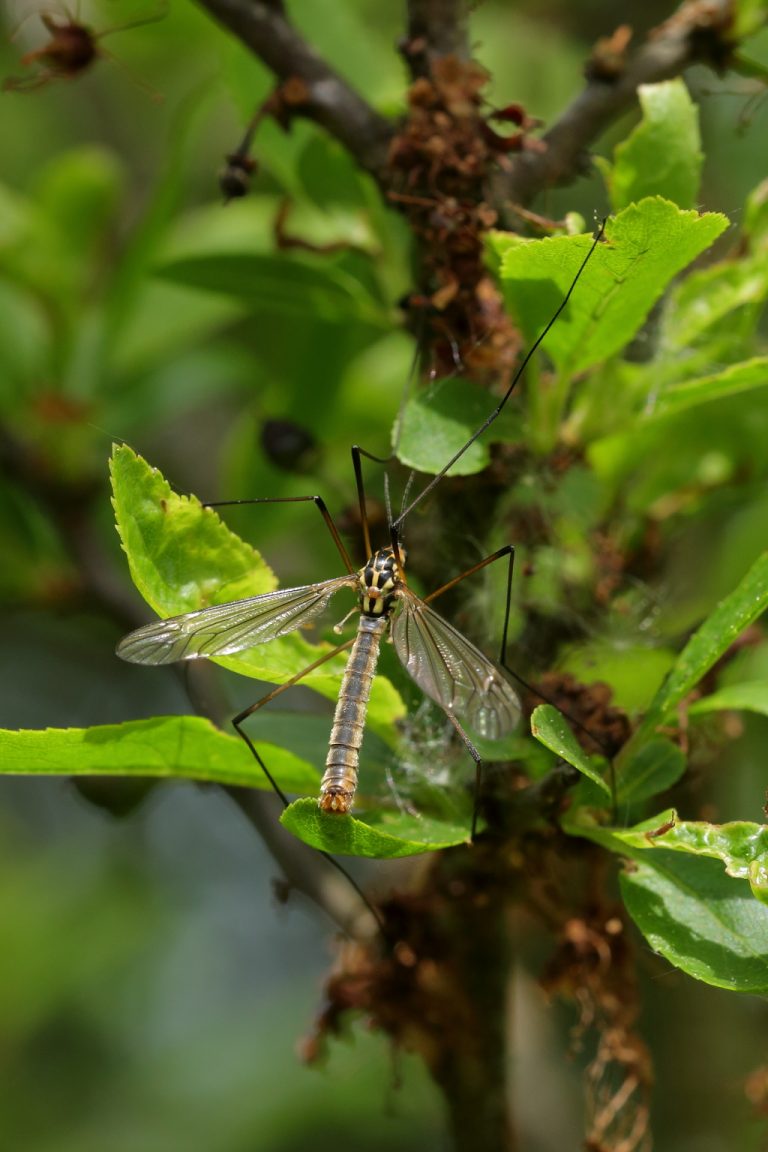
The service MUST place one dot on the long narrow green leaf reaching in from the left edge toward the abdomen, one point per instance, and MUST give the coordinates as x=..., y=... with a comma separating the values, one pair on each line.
x=165, y=747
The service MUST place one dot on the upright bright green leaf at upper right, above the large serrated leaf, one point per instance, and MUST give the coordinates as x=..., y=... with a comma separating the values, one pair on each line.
x=663, y=156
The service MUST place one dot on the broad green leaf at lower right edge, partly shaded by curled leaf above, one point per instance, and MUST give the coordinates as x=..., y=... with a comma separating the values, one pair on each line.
x=701, y=921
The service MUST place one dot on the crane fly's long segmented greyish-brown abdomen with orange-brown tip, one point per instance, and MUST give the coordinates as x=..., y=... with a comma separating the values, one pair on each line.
x=340, y=779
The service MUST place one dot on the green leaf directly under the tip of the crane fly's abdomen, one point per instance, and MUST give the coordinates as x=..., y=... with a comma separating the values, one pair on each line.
x=384, y=836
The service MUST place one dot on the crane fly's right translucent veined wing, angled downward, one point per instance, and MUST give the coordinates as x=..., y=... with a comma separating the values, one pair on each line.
x=451, y=671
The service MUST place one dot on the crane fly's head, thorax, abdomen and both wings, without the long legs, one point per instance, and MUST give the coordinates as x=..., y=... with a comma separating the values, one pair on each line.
x=445, y=665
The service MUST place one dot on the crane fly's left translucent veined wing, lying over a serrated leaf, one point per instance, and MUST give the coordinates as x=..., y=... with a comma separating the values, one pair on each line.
x=229, y=628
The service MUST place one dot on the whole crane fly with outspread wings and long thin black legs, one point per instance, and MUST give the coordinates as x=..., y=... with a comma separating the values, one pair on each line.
x=445, y=664
